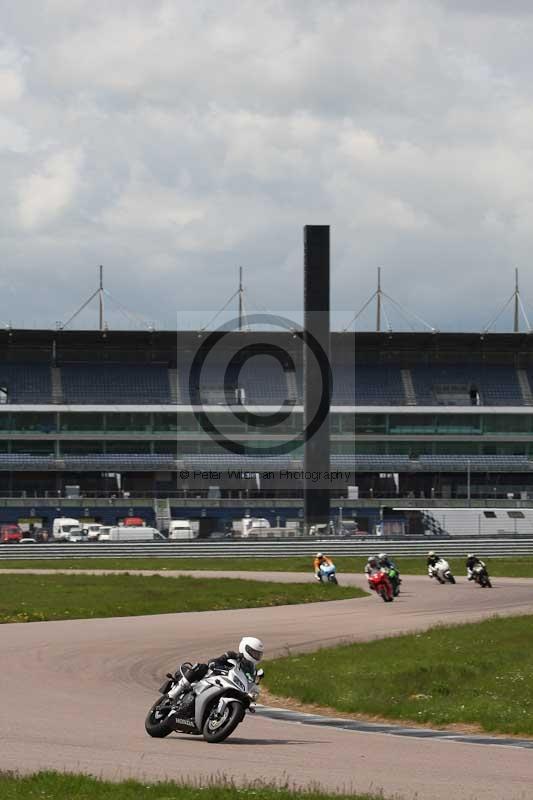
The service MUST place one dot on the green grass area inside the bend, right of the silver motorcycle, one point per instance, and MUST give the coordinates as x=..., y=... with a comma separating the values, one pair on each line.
x=478, y=674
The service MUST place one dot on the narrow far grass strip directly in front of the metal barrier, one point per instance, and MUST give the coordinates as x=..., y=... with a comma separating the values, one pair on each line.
x=498, y=567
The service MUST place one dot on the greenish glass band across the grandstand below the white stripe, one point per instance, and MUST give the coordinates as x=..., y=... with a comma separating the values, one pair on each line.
x=410, y=434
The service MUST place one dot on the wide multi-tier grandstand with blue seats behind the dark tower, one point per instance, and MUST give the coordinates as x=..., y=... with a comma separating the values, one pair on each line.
x=416, y=416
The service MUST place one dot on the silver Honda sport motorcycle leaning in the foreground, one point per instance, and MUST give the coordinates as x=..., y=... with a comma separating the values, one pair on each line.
x=212, y=707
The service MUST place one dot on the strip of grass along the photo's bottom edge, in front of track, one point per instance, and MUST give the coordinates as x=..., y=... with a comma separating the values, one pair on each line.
x=80, y=787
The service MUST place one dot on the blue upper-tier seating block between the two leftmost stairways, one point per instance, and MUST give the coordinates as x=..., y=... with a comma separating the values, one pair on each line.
x=115, y=384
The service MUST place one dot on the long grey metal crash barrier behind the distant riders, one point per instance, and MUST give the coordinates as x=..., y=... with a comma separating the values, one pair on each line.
x=484, y=546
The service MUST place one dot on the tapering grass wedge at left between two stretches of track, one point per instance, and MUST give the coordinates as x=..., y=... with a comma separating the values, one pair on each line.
x=29, y=598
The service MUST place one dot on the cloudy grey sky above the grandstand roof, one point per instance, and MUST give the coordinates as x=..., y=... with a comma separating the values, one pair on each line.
x=173, y=142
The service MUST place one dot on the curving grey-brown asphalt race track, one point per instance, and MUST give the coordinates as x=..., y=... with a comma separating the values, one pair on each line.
x=74, y=695
